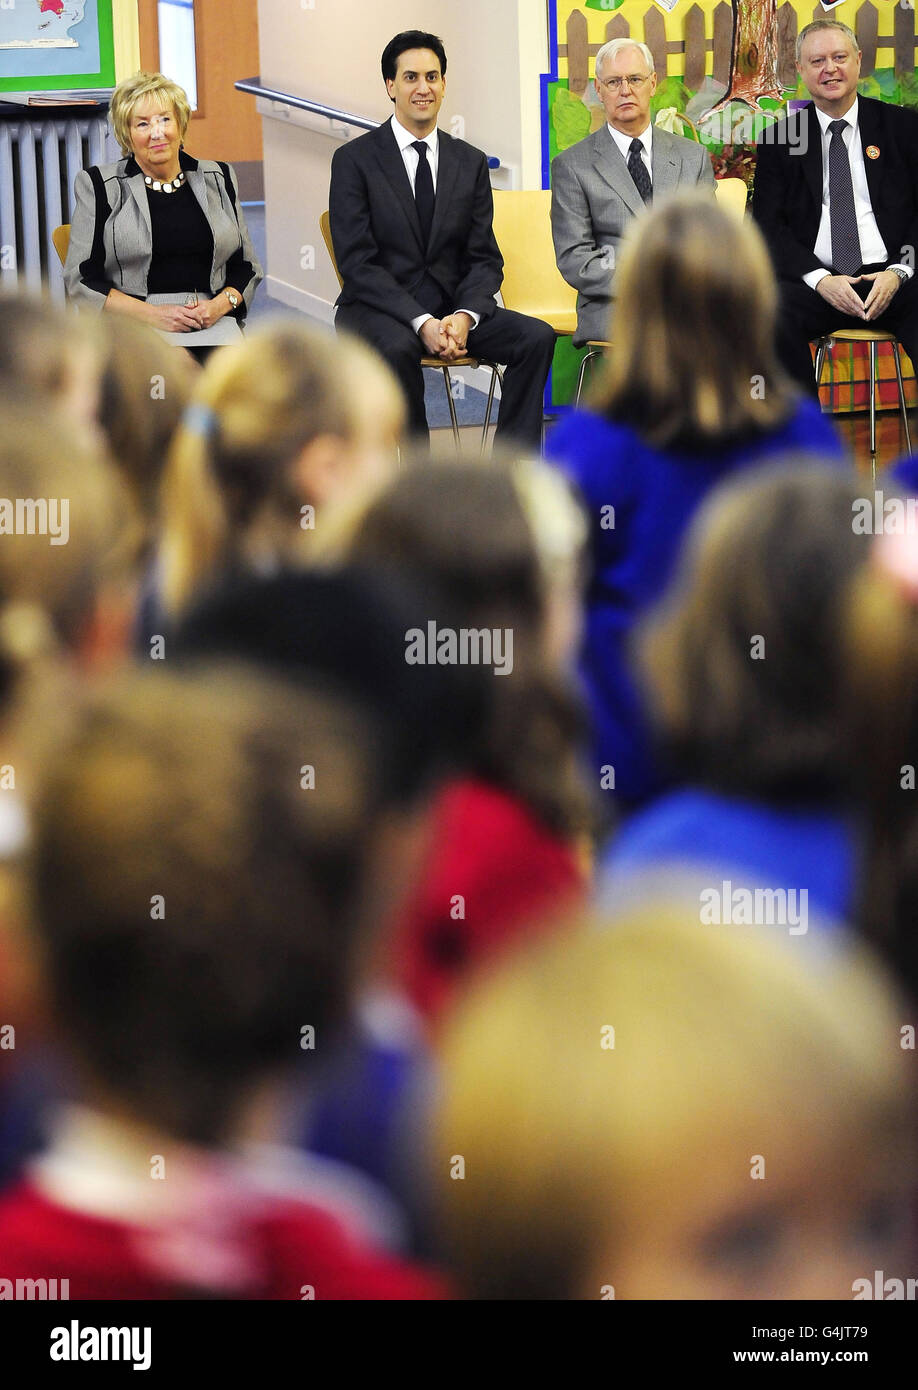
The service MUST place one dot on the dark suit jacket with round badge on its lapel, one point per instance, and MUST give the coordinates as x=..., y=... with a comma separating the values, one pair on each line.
x=788, y=193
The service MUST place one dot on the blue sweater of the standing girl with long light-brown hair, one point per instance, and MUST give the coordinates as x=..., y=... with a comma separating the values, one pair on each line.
x=634, y=551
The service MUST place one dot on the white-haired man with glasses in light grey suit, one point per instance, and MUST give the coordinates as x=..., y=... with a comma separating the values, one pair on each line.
x=600, y=184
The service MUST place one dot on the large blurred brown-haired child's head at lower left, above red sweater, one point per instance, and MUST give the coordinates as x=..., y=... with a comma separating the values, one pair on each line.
x=201, y=875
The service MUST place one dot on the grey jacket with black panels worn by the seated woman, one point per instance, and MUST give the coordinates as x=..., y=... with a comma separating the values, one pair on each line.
x=112, y=240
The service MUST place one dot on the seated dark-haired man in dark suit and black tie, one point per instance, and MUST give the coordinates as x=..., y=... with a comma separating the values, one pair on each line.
x=411, y=216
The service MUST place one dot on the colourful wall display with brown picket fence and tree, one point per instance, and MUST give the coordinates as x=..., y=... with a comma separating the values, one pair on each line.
x=725, y=73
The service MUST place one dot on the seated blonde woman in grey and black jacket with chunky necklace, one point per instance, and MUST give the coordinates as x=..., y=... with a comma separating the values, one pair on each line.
x=161, y=236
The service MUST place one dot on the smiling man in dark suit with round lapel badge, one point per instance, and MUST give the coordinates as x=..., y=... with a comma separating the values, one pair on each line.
x=837, y=197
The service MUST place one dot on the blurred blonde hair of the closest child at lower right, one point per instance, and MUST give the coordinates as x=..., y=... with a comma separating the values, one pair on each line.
x=570, y=1131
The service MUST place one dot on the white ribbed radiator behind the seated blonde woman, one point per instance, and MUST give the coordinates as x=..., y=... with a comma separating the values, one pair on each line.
x=40, y=162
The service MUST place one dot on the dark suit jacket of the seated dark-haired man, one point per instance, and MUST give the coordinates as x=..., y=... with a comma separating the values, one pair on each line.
x=378, y=238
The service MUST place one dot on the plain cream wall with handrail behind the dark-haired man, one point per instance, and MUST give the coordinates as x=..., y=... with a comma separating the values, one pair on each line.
x=330, y=52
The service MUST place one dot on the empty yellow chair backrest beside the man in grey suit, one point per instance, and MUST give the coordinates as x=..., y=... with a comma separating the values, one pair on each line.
x=532, y=280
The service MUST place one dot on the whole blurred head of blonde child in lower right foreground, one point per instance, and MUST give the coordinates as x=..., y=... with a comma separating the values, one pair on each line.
x=675, y=1111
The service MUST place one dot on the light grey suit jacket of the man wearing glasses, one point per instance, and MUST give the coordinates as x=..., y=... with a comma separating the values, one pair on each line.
x=593, y=201
